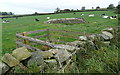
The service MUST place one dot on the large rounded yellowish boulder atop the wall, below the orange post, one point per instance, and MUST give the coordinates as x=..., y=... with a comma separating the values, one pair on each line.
x=21, y=53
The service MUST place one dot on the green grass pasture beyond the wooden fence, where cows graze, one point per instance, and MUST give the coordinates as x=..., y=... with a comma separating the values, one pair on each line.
x=24, y=24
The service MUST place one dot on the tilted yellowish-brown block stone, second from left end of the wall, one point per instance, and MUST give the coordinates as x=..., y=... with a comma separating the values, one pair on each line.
x=10, y=60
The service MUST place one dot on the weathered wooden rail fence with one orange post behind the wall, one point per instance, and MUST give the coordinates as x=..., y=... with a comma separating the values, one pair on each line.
x=34, y=40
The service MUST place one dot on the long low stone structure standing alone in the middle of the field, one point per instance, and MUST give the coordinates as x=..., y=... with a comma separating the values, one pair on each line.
x=66, y=20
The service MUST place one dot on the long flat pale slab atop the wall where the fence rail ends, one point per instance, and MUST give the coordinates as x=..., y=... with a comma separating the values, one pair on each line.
x=67, y=47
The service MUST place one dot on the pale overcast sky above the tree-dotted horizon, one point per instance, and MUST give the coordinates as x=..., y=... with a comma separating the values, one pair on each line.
x=49, y=6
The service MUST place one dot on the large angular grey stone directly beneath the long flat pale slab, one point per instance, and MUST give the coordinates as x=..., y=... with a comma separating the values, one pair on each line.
x=62, y=55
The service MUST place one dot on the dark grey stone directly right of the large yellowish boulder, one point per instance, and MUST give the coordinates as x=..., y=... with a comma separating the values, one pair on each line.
x=36, y=58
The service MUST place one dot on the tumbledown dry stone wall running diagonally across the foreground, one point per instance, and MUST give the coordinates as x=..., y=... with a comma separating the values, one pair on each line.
x=58, y=58
